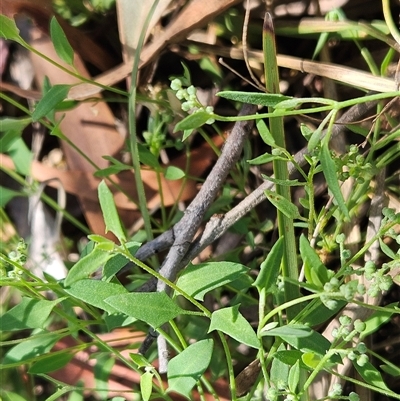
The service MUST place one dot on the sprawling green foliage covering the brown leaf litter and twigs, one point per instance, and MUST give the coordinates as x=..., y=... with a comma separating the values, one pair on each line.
x=212, y=298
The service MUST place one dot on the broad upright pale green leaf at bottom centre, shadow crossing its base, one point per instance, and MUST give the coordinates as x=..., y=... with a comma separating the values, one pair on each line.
x=186, y=368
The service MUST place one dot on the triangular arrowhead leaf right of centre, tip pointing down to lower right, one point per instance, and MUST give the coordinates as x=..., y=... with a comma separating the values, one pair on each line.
x=231, y=322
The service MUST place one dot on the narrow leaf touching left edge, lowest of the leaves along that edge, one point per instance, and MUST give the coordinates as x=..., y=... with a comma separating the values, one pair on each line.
x=30, y=349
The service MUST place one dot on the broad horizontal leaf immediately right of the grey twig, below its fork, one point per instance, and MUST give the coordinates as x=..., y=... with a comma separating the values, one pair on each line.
x=199, y=279
